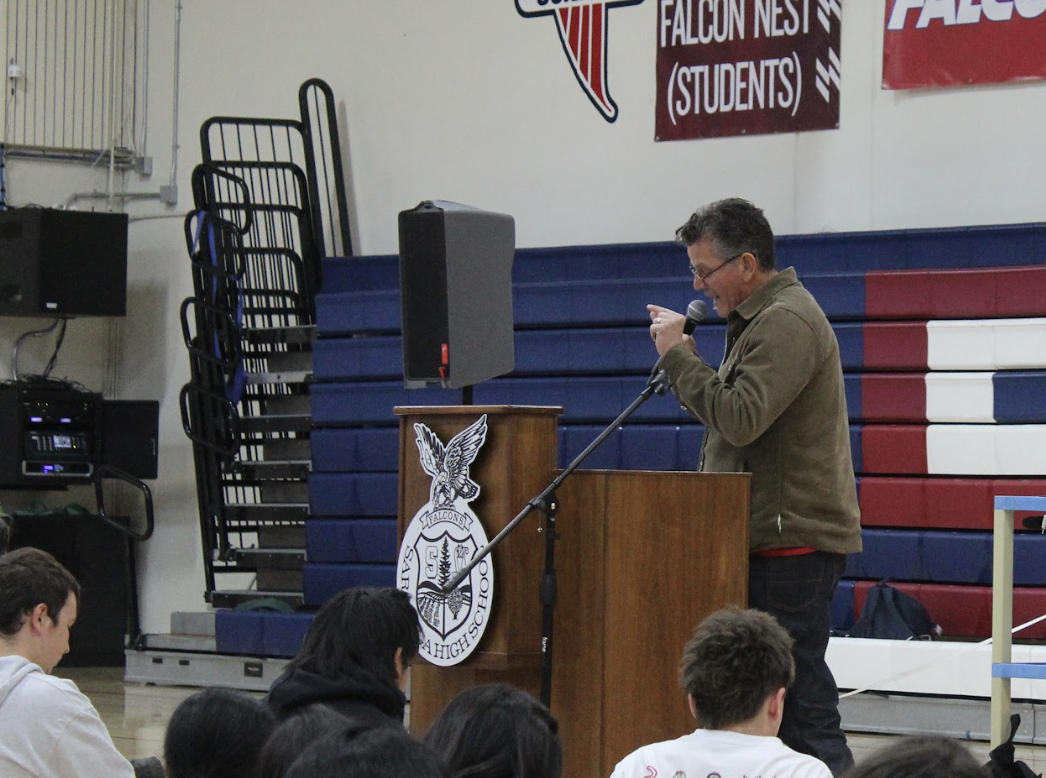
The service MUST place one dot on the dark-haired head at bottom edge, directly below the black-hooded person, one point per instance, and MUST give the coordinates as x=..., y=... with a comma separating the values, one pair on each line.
x=362, y=752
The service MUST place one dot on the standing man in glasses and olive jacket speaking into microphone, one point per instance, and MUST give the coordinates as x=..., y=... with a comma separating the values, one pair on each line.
x=777, y=409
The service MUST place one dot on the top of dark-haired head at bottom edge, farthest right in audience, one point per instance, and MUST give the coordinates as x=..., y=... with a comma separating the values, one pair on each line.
x=921, y=758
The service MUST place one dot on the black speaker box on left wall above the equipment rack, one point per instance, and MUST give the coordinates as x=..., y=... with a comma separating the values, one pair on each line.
x=63, y=263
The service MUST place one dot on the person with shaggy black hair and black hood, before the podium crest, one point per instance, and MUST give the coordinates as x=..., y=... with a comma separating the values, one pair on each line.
x=356, y=658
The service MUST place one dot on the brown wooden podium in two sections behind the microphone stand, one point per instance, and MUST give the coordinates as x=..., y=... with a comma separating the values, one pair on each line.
x=642, y=559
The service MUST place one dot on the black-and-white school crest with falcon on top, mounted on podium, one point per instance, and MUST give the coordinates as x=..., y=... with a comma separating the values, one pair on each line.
x=441, y=540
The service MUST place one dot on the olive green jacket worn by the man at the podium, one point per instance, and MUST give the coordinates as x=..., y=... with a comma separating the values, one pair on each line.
x=777, y=408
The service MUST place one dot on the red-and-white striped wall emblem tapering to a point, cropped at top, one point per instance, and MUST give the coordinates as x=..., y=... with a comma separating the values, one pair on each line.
x=583, y=33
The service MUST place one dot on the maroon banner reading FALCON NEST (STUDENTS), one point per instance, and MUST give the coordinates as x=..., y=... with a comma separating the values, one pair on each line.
x=746, y=67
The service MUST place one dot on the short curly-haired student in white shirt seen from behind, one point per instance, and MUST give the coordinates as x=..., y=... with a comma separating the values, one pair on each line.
x=736, y=672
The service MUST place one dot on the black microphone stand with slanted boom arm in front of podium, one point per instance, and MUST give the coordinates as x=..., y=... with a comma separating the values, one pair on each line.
x=548, y=502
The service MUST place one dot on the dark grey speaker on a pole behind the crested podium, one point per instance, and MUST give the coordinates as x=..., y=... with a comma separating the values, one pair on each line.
x=457, y=294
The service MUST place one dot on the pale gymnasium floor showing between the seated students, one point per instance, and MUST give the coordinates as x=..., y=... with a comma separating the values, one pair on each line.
x=138, y=716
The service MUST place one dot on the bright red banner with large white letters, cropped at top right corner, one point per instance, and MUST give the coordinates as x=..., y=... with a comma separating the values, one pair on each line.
x=947, y=43
